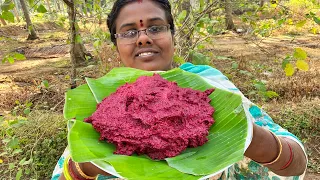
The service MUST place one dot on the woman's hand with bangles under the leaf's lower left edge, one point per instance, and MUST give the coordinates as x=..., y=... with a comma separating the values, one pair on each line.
x=87, y=168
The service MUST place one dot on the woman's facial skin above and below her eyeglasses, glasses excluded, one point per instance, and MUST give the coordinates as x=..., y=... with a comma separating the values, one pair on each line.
x=145, y=53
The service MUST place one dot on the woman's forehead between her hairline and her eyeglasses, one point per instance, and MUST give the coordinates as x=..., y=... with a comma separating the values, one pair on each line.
x=146, y=10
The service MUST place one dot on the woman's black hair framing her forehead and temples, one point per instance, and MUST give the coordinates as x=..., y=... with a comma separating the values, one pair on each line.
x=119, y=4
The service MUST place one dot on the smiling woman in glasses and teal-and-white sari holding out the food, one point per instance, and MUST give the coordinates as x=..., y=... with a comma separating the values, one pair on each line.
x=143, y=34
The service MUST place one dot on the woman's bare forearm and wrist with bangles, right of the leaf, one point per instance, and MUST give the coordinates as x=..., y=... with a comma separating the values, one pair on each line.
x=264, y=148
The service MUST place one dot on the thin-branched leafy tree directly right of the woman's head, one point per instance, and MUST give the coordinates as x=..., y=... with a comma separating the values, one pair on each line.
x=192, y=27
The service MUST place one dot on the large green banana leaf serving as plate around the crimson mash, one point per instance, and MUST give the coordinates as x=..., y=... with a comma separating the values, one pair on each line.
x=225, y=147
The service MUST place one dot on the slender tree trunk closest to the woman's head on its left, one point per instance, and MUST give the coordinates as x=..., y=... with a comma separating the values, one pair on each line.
x=77, y=50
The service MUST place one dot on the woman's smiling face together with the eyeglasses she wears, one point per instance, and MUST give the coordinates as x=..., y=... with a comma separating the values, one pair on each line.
x=149, y=47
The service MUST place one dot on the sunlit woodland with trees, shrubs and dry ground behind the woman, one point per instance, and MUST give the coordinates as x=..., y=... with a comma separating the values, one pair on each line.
x=269, y=49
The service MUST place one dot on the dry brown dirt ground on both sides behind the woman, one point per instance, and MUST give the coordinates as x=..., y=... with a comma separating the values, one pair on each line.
x=47, y=59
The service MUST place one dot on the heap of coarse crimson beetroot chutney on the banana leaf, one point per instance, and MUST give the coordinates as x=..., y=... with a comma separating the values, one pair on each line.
x=155, y=117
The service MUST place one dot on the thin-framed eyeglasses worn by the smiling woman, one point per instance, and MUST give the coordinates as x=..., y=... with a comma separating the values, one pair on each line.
x=131, y=36
